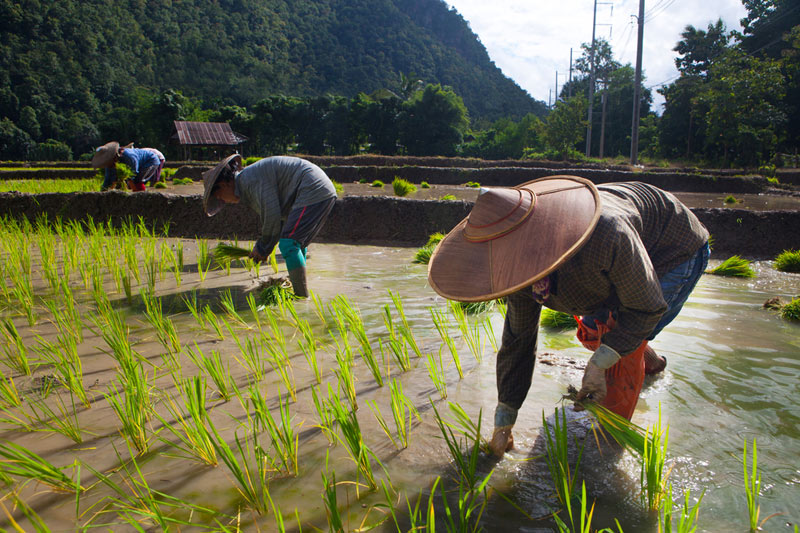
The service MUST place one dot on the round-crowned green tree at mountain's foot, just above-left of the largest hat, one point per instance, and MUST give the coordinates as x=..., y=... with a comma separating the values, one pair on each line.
x=433, y=122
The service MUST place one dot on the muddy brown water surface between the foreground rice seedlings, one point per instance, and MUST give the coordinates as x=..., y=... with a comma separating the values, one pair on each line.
x=732, y=375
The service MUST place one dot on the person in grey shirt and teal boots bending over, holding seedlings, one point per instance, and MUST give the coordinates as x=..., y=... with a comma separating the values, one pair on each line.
x=292, y=197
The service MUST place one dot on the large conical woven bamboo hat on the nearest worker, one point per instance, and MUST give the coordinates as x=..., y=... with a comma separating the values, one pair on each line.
x=513, y=237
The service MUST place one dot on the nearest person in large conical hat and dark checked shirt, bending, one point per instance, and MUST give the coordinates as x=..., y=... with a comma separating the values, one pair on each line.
x=625, y=256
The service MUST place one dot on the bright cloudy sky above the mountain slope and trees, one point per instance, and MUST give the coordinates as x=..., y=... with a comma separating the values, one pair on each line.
x=530, y=40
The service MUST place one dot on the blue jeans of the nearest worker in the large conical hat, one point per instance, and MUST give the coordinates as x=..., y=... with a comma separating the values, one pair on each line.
x=676, y=286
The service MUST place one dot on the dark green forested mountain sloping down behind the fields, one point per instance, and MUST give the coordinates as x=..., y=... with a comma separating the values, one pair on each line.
x=70, y=60
